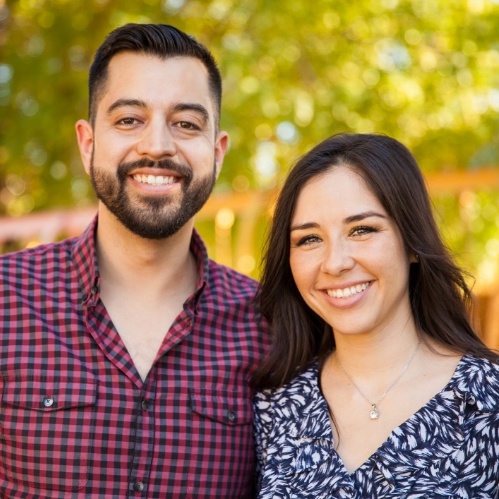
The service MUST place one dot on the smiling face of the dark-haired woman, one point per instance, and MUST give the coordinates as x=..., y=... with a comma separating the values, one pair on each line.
x=347, y=256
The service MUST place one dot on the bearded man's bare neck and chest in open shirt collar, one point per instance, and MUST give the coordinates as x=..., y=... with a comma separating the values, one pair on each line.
x=144, y=285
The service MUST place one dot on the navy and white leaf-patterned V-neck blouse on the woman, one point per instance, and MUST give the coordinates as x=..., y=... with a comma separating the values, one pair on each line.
x=448, y=449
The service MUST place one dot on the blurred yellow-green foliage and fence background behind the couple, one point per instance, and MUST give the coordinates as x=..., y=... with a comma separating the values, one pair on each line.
x=423, y=71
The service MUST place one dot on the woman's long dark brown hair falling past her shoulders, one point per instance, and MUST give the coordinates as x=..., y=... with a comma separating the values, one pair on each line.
x=440, y=297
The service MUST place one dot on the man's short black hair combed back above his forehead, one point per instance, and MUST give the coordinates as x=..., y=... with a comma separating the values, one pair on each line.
x=161, y=40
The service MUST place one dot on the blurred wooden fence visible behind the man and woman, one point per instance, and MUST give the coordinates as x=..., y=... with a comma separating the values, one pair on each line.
x=233, y=225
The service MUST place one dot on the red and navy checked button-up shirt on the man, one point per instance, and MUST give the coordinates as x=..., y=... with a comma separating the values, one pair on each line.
x=76, y=420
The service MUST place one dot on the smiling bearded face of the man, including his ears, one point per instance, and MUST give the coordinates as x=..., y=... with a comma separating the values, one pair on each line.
x=154, y=153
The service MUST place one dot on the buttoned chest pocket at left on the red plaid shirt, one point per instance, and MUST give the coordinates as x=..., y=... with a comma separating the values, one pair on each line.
x=46, y=429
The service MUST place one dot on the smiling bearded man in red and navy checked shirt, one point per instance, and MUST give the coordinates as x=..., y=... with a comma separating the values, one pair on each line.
x=126, y=353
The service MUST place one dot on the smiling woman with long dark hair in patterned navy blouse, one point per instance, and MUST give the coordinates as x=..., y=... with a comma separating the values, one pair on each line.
x=376, y=384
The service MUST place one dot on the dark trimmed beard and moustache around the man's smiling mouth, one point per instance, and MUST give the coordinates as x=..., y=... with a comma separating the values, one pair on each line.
x=153, y=217
